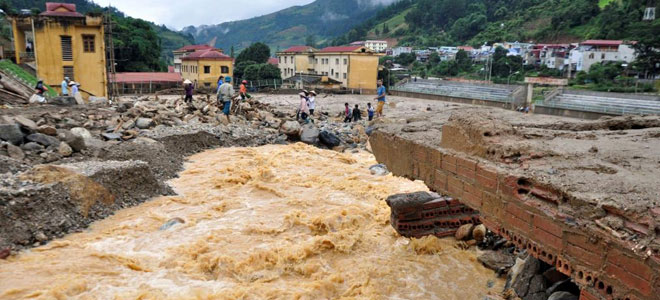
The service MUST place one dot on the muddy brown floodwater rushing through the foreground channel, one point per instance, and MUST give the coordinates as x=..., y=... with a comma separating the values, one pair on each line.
x=275, y=222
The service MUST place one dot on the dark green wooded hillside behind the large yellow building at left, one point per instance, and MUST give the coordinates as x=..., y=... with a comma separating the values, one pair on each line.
x=139, y=45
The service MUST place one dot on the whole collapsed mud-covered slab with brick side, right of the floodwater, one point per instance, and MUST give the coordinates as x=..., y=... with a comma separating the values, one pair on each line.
x=581, y=196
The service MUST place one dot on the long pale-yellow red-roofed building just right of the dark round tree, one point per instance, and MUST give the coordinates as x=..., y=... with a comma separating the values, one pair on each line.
x=356, y=67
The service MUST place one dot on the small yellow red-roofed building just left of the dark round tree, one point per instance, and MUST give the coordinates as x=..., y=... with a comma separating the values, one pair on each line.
x=204, y=67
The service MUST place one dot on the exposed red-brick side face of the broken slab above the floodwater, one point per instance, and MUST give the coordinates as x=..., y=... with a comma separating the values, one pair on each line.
x=527, y=213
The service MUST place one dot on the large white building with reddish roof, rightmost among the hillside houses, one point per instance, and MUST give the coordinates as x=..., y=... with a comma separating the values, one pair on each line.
x=597, y=51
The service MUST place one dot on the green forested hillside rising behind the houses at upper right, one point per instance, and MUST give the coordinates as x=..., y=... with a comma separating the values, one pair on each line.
x=475, y=22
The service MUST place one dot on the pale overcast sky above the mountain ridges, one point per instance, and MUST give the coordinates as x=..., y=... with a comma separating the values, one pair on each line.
x=181, y=13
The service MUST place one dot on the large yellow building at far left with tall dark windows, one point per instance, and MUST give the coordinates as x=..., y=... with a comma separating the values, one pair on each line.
x=63, y=43
